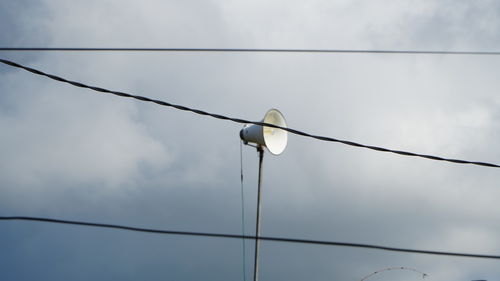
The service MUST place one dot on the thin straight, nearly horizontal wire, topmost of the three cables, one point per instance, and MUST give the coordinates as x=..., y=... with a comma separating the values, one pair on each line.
x=247, y=50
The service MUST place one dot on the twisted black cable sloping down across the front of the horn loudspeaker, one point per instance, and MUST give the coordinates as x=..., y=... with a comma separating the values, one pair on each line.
x=243, y=121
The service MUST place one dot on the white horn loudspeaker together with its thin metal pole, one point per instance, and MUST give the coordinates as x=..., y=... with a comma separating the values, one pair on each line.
x=275, y=140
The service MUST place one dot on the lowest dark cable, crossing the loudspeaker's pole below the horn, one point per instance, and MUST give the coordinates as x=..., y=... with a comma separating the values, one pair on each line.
x=235, y=236
